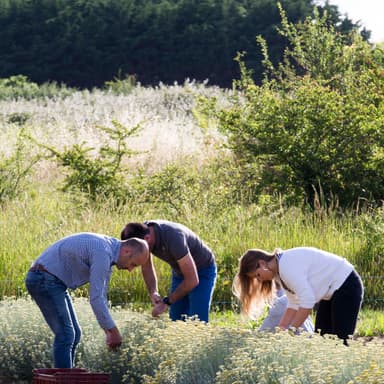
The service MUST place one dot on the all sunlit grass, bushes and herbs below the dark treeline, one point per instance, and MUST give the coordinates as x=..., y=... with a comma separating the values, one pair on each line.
x=297, y=160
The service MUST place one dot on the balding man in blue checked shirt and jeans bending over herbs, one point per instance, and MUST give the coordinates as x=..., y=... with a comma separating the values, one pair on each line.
x=69, y=263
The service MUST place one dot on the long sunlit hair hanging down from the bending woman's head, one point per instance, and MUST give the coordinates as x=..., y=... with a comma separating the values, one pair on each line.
x=253, y=294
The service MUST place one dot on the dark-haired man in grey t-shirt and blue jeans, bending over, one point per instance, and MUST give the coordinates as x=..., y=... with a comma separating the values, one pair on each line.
x=193, y=266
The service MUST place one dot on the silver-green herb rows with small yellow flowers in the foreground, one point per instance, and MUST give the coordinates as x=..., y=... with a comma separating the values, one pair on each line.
x=161, y=351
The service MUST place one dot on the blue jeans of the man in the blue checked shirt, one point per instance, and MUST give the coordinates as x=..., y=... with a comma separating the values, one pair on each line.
x=55, y=303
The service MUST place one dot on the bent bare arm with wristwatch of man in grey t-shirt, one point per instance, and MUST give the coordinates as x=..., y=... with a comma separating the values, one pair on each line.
x=190, y=281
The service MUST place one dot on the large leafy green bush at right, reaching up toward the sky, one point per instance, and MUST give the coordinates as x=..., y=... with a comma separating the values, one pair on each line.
x=318, y=126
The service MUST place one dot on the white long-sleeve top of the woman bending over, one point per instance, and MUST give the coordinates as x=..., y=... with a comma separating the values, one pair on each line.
x=312, y=274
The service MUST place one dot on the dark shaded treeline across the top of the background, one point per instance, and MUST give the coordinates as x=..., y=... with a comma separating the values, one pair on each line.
x=85, y=43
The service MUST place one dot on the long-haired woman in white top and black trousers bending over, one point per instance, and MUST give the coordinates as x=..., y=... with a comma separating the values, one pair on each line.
x=308, y=276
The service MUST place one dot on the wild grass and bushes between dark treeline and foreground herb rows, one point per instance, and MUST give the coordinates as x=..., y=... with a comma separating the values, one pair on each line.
x=295, y=161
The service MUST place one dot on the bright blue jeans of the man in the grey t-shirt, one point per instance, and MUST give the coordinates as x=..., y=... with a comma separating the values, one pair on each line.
x=198, y=301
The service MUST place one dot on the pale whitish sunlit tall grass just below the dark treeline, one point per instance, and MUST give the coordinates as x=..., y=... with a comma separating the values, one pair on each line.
x=169, y=129
